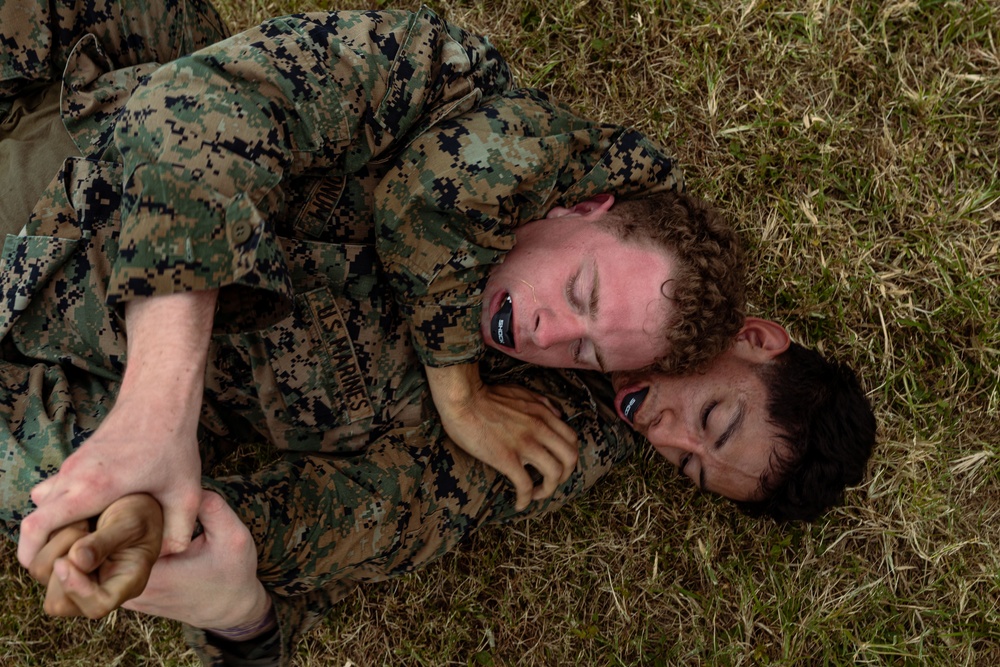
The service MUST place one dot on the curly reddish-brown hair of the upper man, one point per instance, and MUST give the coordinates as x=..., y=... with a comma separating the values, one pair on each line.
x=709, y=284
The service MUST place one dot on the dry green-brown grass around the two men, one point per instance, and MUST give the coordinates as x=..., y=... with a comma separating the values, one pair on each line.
x=856, y=144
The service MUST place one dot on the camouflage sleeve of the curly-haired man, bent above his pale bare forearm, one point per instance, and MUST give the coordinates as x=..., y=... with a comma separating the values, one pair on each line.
x=211, y=139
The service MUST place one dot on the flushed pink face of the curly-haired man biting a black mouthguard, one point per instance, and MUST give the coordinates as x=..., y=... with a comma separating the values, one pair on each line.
x=571, y=295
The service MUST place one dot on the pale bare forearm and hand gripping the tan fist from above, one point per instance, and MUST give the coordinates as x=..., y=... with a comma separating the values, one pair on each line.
x=148, y=441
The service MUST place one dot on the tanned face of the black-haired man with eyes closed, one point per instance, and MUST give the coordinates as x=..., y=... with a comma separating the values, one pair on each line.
x=712, y=426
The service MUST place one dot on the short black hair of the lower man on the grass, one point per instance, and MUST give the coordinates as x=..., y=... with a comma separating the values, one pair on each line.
x=827, y=424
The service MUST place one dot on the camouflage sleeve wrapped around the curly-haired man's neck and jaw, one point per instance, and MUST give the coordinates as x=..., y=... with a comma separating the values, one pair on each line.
x=447, y=210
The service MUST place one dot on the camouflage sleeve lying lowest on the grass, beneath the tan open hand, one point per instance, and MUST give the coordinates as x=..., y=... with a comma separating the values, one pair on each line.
x=324, y=524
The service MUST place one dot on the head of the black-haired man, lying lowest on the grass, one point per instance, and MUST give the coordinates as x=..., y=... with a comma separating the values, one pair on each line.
x=769, y=424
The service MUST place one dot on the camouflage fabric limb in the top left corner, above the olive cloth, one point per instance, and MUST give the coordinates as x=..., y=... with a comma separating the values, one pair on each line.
x=37, y=36
